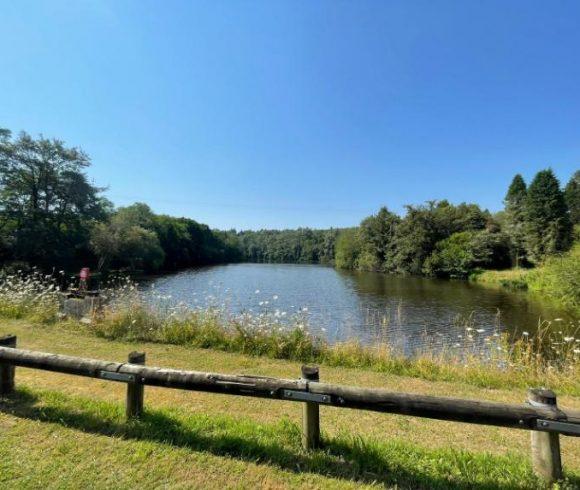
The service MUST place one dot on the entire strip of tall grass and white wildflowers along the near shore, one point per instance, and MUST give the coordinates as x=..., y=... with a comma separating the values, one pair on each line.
x=503, y=363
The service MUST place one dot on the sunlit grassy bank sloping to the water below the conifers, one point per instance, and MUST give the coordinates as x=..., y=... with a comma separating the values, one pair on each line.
x=558, y=278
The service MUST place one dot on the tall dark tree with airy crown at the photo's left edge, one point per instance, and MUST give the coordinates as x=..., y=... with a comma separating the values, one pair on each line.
x=47, y=204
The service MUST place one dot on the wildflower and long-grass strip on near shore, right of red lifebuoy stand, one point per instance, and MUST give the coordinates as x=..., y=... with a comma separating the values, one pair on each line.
x=517, y=364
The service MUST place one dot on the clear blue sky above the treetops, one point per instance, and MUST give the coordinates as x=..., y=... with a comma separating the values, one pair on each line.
x=276, y=114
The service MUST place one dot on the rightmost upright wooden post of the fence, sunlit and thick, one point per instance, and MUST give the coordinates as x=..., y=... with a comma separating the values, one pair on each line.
x=546, y=459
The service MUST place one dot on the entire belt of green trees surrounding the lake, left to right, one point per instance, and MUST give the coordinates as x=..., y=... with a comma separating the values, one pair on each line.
x=54, y=218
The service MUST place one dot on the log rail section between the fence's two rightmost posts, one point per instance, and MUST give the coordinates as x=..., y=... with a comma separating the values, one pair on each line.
x=442, y=408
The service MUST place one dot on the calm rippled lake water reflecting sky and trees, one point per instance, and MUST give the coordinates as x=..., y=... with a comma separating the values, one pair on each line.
x=408, y=312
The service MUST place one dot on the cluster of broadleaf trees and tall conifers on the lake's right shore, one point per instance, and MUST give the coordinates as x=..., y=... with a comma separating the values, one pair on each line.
x=448, y=240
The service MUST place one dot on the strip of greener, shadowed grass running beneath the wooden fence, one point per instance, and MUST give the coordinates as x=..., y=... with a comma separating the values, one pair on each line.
x=277, y=445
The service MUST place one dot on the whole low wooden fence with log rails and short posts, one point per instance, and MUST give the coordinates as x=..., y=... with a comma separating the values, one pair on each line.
x=540, y=414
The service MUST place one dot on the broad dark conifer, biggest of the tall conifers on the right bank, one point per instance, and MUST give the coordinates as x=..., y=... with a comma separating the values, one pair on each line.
x=548, y=226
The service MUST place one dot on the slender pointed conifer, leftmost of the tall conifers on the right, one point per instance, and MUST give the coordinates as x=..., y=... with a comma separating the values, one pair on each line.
x=515, y=218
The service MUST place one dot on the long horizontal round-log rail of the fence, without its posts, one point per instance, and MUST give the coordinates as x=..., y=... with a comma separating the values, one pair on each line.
x=442, y=408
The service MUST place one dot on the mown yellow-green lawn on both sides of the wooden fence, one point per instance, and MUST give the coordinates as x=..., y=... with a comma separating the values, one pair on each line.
x=60, y=431
